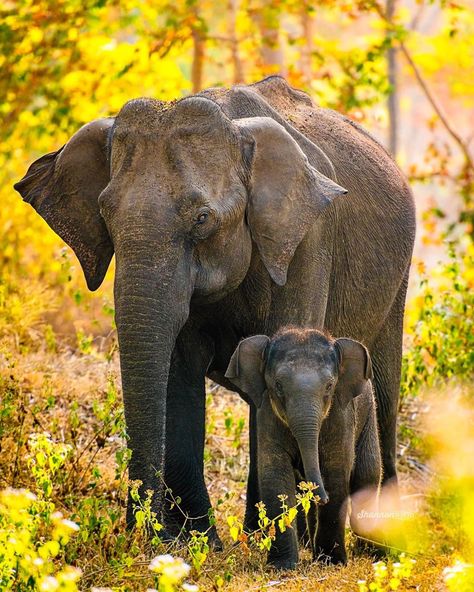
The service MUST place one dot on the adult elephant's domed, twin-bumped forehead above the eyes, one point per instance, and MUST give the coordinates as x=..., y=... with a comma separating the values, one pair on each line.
x=191, y=138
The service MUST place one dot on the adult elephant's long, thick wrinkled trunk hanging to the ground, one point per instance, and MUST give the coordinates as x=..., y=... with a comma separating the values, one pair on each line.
x=152, y=295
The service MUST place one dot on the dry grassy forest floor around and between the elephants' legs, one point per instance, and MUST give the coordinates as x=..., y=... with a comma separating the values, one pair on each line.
x=75, y=397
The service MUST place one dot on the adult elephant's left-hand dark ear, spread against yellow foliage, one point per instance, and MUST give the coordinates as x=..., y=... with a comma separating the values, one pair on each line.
x=64, y=186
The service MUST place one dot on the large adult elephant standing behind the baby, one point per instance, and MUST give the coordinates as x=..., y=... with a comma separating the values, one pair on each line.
x=226, y=221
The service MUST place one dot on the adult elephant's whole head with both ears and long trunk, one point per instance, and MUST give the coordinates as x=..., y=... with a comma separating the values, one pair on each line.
x=180, y=193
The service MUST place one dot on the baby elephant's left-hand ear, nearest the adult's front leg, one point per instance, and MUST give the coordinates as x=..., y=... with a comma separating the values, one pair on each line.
x=246, y=369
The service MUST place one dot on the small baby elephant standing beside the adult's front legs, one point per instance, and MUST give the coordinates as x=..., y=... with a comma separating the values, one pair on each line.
x=316, y=422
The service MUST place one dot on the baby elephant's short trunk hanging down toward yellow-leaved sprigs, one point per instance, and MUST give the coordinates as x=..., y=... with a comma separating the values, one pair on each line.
x=307, y=438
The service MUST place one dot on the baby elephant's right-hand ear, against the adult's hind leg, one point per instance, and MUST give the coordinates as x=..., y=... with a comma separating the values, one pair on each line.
x=355, y=367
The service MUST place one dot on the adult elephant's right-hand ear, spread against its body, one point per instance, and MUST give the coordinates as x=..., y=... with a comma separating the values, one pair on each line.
x=287, y=194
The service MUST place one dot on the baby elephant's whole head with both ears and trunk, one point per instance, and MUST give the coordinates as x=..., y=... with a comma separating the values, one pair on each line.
x=302, y=372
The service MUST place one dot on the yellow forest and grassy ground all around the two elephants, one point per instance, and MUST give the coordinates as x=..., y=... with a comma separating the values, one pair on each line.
x=404, y=69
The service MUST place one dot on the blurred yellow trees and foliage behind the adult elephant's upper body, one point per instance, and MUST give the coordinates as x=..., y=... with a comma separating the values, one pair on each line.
x=403, y=68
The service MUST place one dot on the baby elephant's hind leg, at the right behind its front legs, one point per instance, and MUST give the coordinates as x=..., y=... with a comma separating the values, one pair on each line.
x=365, y=480
